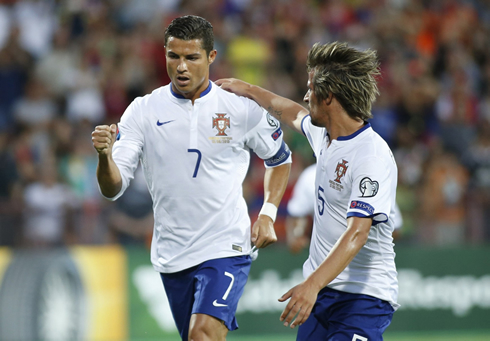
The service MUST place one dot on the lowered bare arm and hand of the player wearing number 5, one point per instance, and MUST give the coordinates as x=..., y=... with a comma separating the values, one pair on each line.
x=304, y=295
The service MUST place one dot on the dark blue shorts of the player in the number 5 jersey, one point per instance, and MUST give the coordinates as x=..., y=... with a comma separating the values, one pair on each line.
x=342, y=316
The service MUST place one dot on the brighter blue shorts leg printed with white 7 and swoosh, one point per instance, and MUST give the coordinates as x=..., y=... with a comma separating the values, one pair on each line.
x=219, y=286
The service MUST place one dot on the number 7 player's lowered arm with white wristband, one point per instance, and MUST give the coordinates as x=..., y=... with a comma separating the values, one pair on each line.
x=275, y=183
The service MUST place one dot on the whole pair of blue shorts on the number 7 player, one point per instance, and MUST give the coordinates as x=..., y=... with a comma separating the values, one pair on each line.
x=212, y=288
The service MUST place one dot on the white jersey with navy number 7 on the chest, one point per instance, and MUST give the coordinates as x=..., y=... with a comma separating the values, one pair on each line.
x=195, y=158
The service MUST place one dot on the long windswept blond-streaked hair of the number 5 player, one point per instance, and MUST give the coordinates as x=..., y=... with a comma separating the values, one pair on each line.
x=349, y=74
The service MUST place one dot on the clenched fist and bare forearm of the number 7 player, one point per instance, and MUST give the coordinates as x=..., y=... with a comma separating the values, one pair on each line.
x=108, y=175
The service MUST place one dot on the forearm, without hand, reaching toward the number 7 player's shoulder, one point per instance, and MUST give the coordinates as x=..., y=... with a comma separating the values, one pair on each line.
x=285, y=110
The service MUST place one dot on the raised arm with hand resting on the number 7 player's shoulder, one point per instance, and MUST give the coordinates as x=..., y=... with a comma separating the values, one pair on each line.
x=285, y=110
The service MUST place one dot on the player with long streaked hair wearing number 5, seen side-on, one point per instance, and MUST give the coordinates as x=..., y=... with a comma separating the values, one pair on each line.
x=350, y=288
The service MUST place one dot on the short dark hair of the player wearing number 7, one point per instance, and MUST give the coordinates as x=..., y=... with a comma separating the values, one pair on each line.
x=190, y=27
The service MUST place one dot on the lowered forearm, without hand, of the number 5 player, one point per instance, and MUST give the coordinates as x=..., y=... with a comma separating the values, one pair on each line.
x=342, y=253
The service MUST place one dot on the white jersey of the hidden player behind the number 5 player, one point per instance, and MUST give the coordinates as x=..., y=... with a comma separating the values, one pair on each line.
x=302, y=201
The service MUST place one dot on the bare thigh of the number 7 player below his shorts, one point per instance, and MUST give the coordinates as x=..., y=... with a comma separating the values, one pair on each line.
x=203, y=326
